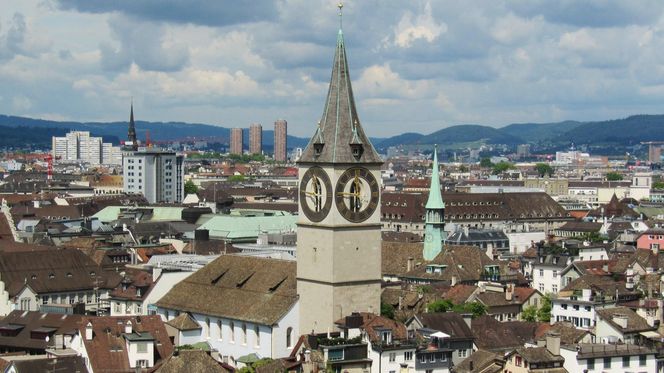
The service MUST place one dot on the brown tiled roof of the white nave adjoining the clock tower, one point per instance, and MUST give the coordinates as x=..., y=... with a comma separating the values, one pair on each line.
x=254, y=289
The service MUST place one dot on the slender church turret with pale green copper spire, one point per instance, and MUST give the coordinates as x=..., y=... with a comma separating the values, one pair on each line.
x=434, y=226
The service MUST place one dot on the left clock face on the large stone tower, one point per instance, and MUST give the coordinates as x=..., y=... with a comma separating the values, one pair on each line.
x=315, y=194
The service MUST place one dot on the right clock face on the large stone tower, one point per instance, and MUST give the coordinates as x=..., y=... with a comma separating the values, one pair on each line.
x=357, y=194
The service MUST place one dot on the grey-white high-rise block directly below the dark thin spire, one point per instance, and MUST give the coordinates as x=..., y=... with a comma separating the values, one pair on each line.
x=156, y=174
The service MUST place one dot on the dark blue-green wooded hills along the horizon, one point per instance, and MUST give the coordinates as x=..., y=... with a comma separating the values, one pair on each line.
x=620, y=132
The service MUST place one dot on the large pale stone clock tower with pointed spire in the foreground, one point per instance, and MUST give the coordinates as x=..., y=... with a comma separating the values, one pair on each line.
x=338, y=235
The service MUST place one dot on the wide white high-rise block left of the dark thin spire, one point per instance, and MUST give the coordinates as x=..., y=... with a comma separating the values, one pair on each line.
x=79, y=146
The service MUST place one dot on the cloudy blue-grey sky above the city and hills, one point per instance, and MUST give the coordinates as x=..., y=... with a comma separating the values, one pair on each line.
x=415, y=65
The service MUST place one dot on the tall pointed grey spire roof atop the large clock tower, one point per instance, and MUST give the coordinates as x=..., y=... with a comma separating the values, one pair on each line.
x=340, y=125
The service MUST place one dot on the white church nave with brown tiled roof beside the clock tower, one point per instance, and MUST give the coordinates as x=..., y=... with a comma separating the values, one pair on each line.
x=242, y=305
